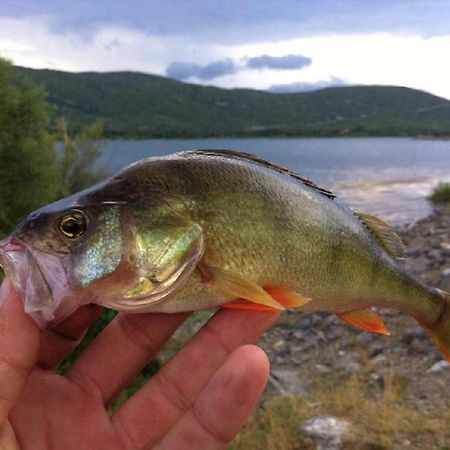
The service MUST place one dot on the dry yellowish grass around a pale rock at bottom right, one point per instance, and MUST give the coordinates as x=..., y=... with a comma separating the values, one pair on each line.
x=380, y=418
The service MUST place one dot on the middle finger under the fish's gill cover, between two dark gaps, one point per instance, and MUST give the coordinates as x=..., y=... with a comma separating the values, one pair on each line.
x=121, y=350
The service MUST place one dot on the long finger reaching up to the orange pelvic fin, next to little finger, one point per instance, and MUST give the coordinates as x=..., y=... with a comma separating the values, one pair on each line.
x=147, y=416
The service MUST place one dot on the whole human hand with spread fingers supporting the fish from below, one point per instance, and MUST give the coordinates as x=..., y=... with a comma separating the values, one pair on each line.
x=198, y=400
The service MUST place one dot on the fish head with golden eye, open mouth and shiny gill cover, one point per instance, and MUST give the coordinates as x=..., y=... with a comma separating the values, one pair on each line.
x=122, y=255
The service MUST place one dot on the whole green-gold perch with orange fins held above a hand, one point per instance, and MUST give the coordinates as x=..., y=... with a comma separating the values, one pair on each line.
x=215, y=229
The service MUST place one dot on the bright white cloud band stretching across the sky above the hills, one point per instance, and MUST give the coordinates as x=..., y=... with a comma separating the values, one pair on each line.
x=379, y=58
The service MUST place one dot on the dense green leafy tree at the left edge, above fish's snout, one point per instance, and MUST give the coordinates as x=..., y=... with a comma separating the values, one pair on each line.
x=28, y=173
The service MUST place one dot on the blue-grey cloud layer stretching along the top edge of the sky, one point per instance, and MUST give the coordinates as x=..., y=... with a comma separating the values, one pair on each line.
x=237, y=21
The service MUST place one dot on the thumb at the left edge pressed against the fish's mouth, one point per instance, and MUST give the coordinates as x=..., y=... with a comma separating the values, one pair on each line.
x=19, y=344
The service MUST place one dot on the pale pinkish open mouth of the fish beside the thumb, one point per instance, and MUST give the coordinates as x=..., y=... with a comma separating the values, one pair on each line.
x=33, y=275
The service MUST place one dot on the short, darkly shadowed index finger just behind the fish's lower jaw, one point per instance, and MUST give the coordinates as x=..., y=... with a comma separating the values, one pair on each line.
x=60, y=339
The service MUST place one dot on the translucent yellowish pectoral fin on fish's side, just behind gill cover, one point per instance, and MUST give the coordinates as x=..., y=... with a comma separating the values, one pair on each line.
x=237, y=286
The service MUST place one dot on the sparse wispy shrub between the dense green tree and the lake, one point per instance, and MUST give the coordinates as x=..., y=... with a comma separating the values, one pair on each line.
x=77, y=157
